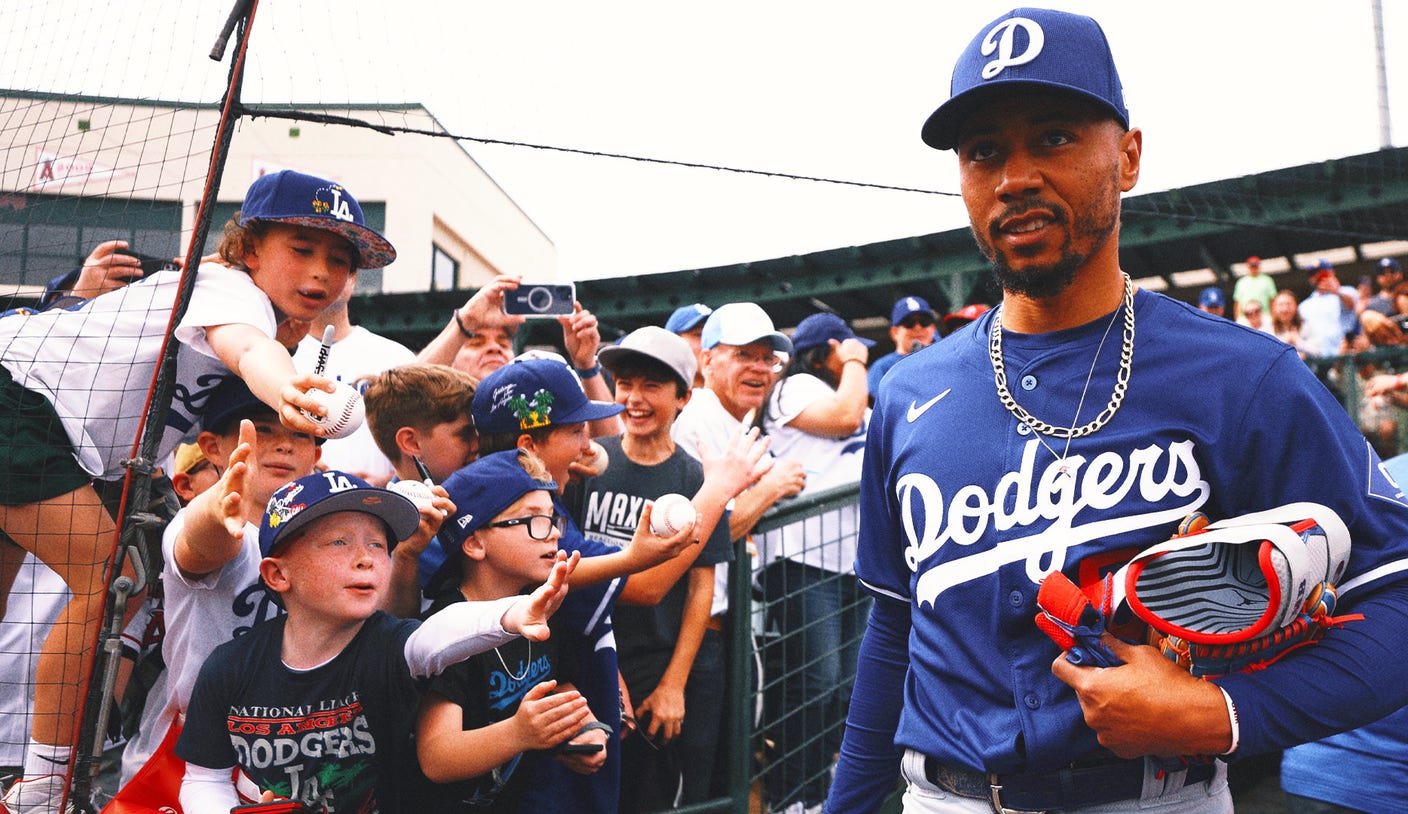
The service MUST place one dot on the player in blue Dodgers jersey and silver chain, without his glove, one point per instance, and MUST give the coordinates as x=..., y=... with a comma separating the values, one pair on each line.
x=1062, y=432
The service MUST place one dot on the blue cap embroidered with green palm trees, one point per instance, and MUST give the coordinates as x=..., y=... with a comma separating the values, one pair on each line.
x=532, y=394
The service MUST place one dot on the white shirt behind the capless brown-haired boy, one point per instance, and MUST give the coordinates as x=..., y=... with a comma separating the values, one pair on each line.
x=360, y=354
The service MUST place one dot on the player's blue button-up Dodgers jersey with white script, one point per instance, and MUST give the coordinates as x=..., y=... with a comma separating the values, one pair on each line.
x=965, y=511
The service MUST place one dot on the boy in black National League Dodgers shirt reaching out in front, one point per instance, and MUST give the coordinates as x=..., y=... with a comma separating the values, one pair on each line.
x=318, y=706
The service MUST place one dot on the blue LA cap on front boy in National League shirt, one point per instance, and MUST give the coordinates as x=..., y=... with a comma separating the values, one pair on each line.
x=323, y=494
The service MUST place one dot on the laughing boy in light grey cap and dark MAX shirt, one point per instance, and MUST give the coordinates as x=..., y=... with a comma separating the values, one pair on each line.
x=671, y=656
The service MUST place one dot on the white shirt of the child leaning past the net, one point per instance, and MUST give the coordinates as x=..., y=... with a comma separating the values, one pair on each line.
x=95, y=364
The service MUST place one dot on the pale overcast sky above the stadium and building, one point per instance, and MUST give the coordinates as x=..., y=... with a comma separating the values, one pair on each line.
x=816, y=88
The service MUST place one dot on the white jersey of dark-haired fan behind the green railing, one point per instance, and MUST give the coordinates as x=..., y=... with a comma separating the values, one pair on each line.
x=826, y=541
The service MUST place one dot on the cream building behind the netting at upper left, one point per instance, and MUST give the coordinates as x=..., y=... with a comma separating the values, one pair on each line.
x=77, y=171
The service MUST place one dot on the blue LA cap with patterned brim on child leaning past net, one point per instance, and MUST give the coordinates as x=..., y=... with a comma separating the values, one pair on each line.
x=306, y=201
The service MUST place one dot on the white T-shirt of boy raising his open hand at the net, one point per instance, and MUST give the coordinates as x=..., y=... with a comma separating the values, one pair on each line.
x=201, y=615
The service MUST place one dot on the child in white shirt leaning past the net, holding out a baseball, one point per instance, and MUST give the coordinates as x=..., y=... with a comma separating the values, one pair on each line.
x=81, y=402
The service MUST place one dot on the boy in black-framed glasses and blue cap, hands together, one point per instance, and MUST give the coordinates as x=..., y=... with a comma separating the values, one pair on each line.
x=488, y=725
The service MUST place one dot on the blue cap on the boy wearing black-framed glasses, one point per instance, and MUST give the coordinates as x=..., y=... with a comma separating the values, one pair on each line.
x=481, y=494
